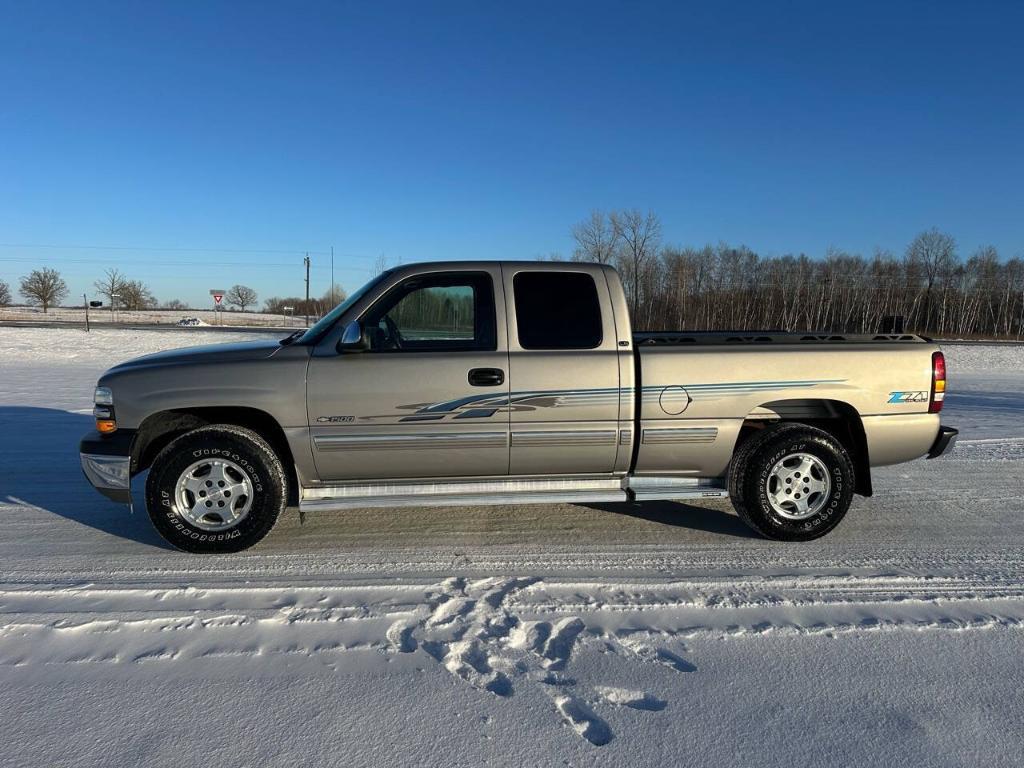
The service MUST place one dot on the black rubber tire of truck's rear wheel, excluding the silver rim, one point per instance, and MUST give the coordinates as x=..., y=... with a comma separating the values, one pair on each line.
x=749, y=477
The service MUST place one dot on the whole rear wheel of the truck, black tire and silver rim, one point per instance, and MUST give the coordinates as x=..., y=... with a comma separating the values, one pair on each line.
x=792, y=483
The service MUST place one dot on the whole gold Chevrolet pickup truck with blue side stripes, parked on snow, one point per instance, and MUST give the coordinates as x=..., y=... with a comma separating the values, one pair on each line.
x=493, y=382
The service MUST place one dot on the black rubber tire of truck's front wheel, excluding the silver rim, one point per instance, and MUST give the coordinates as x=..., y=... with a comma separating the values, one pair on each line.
x=245, y=449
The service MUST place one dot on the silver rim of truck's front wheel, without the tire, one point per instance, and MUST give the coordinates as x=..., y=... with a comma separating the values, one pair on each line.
x=215, y=495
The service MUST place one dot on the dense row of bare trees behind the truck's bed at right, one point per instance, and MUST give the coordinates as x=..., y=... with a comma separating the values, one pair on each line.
x=930, y=286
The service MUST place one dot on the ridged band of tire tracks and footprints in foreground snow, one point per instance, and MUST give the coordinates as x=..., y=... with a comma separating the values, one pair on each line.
x=496, y=634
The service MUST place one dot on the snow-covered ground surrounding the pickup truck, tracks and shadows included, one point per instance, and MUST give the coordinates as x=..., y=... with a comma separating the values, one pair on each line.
x=662, y=634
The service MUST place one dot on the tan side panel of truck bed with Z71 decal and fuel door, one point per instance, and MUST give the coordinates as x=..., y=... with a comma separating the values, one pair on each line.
x=696, y=400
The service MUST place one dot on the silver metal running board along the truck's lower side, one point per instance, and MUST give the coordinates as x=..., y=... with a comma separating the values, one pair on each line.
x=522, y=491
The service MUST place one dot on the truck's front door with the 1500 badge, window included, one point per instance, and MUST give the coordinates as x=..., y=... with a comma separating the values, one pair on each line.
x=430, y=398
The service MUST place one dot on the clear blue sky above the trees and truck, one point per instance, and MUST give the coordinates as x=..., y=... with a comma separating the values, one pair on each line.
x=425, y=132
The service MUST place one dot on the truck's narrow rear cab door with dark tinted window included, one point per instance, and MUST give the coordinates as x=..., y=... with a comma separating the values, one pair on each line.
x=564, y=371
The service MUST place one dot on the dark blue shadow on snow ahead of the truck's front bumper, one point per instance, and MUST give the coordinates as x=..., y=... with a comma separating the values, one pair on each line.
x=39, y=466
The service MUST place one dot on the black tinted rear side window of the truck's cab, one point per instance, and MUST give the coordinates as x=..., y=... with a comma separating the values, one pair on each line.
x=558, y=311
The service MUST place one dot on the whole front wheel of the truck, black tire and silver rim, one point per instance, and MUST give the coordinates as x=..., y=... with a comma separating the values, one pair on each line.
x=217, y=489
